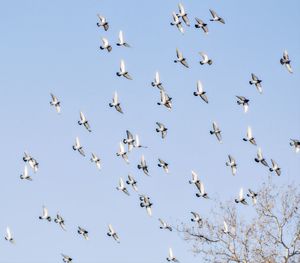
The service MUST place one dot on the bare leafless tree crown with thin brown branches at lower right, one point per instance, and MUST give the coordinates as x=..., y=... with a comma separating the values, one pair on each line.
x=269, y=233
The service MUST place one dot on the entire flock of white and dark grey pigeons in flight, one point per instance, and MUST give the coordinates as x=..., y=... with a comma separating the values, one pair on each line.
x=179, y=20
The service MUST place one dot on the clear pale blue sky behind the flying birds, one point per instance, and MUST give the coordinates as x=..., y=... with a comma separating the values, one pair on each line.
x=53, y=46
